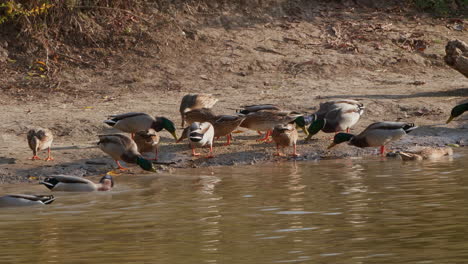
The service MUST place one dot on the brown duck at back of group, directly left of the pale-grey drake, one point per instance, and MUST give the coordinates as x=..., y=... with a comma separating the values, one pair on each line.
x=266, y=120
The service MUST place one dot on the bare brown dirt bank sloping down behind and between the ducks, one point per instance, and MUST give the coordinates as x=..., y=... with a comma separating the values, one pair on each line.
x=390, y=60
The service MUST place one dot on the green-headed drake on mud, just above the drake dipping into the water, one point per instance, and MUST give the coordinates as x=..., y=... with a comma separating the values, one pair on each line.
x=134, y=122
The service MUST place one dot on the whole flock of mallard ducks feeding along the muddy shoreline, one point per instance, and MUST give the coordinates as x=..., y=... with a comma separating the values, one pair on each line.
x=204, y=126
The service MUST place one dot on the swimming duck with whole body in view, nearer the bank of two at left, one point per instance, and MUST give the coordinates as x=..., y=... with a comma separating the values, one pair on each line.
x=67, y=183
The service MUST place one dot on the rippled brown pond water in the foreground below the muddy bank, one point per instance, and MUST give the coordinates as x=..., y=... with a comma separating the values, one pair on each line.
x=342, y=211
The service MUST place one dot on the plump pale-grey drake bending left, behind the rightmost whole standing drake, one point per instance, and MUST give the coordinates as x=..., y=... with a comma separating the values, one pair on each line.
x=333, y=117
